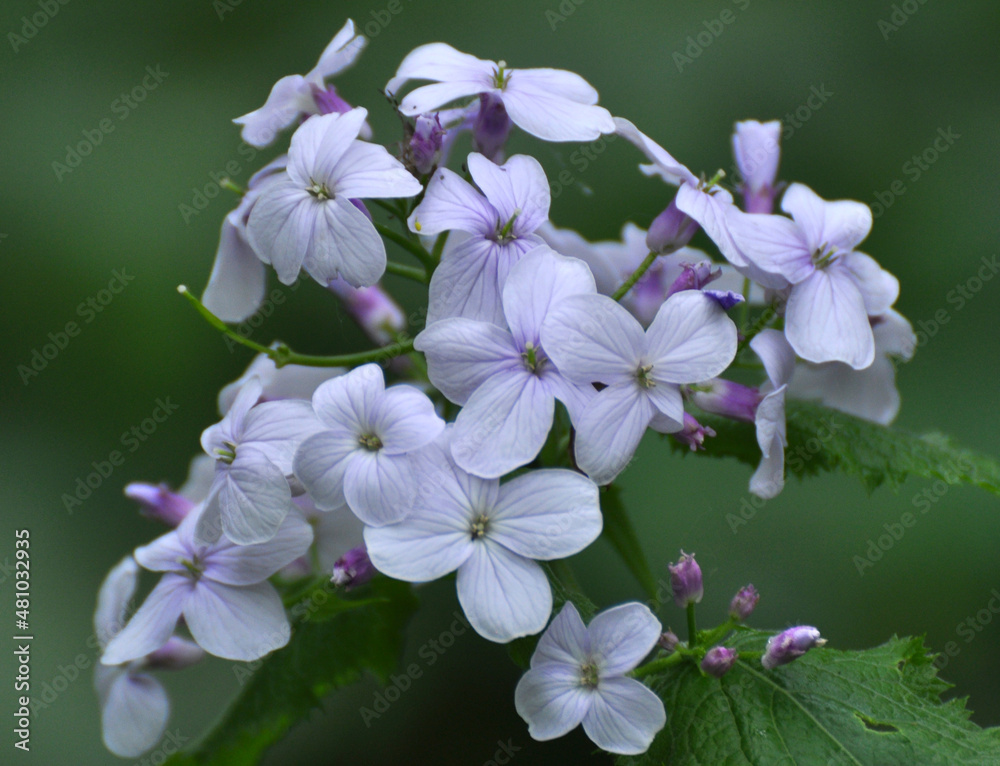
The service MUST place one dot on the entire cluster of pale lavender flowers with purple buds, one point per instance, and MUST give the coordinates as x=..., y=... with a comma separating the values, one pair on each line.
x=480, y=445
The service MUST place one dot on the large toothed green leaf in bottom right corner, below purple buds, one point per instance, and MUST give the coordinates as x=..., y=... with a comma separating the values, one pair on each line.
x=878, y=707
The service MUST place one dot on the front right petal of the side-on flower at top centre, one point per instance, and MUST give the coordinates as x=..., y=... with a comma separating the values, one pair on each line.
x=548, y=115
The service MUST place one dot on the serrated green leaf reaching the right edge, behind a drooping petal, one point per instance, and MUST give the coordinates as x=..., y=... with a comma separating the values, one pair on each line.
x=822, y=439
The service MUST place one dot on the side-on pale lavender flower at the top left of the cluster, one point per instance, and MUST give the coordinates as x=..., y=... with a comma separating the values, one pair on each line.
x=297, y=96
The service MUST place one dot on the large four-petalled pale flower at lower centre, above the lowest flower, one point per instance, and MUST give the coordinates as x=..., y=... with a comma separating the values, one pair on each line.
x=493, y=534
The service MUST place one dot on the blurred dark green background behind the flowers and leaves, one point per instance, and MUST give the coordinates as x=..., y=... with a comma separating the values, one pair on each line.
x=120, y=209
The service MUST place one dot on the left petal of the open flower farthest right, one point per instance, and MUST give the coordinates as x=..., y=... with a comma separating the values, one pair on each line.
x=773, y=243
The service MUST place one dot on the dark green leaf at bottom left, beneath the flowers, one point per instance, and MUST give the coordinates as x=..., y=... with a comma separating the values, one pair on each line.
x=334, y=640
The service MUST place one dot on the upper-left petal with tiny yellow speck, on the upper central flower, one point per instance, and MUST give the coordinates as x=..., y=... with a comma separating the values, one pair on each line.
x=451, y=203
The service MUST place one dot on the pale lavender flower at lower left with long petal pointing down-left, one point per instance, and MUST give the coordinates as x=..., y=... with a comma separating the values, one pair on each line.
x=220, y=590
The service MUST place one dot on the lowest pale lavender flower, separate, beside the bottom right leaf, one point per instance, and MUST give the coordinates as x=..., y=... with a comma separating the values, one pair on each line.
x=578, y=675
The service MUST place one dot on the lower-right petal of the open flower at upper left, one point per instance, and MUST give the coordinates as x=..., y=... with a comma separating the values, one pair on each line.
x=344, y=244
